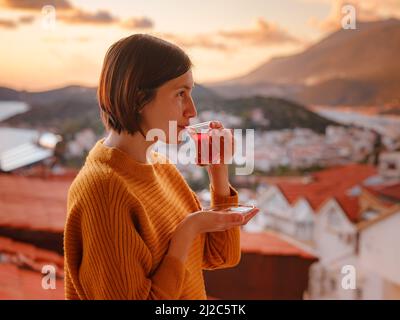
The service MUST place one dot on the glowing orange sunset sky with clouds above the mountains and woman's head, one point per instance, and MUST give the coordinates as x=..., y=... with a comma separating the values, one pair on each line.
x=224, y=38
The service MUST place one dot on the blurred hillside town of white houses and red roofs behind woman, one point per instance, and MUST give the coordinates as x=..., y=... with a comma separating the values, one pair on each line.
x=343, y=213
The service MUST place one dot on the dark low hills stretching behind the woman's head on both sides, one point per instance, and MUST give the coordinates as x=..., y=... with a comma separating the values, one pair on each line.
x=70, y=109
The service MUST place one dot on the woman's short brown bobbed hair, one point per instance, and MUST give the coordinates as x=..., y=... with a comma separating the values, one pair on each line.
x=133, y=68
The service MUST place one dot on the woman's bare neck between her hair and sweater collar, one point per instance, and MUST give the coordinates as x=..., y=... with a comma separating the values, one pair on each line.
x=134, y=145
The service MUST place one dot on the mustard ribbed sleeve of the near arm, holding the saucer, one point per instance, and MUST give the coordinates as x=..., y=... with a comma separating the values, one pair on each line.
x=115, y=261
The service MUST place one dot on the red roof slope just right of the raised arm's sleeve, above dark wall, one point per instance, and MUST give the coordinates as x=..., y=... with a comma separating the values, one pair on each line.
x=268, y=243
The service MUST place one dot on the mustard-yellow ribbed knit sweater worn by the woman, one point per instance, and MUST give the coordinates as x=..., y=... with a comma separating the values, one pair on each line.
x=121, y=216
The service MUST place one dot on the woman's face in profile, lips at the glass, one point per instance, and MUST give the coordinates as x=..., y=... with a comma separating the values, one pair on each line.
x=173, y=102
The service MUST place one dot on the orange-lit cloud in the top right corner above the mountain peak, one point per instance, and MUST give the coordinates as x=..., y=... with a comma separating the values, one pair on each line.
x=366, y=10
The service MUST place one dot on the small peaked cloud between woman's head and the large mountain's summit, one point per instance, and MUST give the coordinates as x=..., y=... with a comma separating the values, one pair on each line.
x=263, y=33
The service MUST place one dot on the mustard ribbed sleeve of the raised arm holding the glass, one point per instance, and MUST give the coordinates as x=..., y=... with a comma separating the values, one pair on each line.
x=222, y=249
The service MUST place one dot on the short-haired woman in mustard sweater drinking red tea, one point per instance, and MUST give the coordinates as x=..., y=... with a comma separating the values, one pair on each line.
x=135, y=229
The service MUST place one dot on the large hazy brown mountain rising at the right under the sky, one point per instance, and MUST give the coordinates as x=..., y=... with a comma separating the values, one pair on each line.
x=360, y=66
